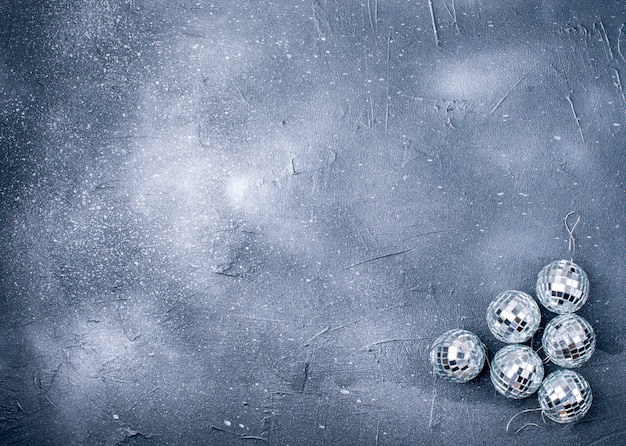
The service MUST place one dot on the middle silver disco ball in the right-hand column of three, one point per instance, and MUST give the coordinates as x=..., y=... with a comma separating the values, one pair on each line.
x=569, y=340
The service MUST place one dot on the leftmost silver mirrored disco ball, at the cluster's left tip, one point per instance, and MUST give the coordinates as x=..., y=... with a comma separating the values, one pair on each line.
x=457, y=355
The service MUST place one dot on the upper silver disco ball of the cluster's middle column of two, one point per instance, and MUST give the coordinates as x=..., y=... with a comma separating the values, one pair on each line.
x=513, y=316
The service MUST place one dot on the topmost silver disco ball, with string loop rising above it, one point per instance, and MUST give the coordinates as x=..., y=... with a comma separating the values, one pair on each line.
x=562, y=287
